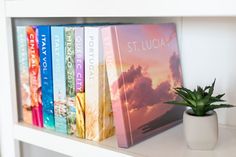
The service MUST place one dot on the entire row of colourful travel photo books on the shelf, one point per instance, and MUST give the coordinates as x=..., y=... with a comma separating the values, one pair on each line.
x=75, y=77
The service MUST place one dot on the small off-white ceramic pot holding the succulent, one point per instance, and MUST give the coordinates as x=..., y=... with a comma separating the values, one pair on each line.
x=201, y=132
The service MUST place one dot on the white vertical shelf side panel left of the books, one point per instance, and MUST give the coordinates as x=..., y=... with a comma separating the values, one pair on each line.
x=8, y=112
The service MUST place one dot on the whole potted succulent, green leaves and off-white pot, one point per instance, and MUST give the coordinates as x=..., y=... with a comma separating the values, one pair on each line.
x=200, y=121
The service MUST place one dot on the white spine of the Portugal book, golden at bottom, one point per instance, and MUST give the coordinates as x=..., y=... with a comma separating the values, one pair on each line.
x=92, y=110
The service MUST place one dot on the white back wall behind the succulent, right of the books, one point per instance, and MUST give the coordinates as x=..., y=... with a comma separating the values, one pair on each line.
x=208, y=52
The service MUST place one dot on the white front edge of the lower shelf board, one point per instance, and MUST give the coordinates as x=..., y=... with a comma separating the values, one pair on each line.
x=64, y=144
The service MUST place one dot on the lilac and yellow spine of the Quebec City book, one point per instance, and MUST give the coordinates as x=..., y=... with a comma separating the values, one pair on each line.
x=79, y=82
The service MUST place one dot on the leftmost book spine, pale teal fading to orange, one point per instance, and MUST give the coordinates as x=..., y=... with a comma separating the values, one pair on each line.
x=24, y=73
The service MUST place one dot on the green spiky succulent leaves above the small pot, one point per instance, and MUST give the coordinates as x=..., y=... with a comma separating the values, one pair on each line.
x=200, y=99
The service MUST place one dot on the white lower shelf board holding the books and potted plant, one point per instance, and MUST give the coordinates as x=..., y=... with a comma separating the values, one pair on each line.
x=168, y=144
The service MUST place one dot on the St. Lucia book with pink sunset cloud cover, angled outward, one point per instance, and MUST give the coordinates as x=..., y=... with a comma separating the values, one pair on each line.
x=143, y=67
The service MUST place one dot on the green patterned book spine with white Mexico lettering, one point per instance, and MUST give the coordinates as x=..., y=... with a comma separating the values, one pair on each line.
x=70, y=78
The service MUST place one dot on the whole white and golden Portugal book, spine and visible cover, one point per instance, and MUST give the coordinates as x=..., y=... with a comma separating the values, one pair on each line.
x=98, y=111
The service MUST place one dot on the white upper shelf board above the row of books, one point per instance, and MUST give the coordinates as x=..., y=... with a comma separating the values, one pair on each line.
x=119, y=8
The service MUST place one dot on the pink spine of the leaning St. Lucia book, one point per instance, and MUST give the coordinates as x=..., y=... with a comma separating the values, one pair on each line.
x=120, y=118
